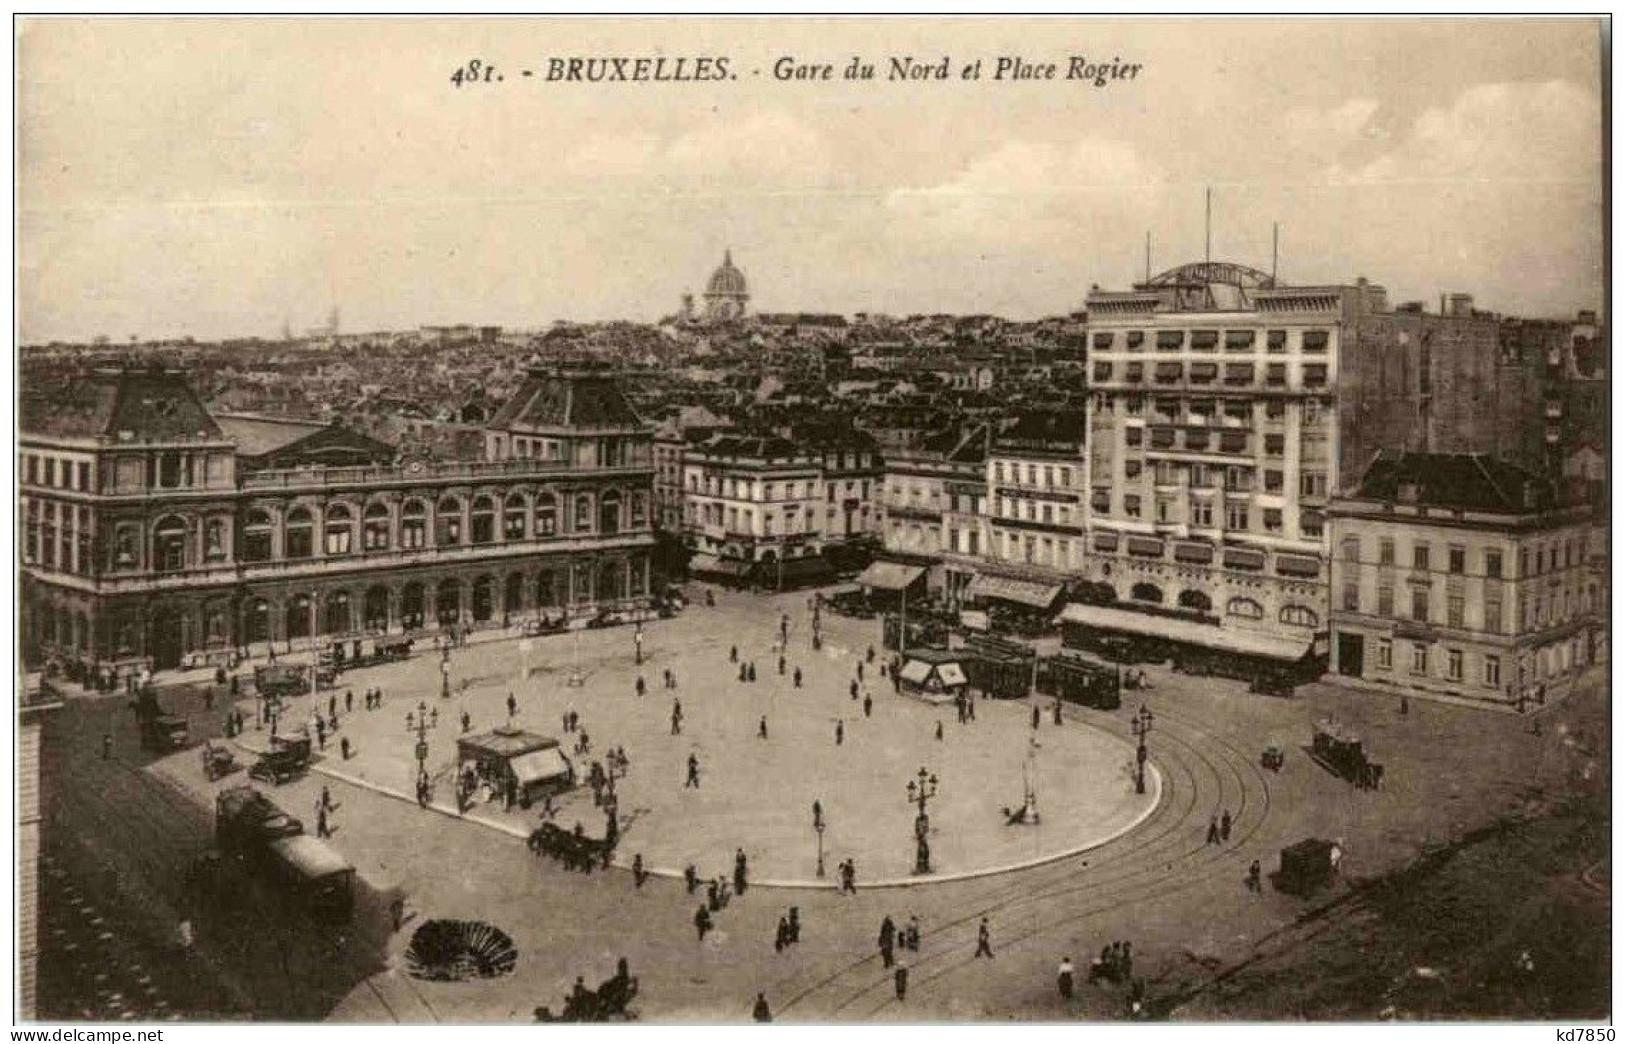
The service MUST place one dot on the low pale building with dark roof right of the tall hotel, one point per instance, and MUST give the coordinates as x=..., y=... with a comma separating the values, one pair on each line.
x=1465, y=576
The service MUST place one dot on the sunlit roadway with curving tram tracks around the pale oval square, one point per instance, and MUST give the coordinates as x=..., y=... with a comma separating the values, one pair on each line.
x=1179, y=900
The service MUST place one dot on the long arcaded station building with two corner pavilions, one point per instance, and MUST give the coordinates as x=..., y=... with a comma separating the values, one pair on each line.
x=157, y=534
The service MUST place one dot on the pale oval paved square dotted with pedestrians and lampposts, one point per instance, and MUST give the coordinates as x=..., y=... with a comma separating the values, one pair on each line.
x=755, y=793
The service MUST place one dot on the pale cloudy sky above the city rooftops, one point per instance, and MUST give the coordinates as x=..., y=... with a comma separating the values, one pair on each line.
x=194, y=178
